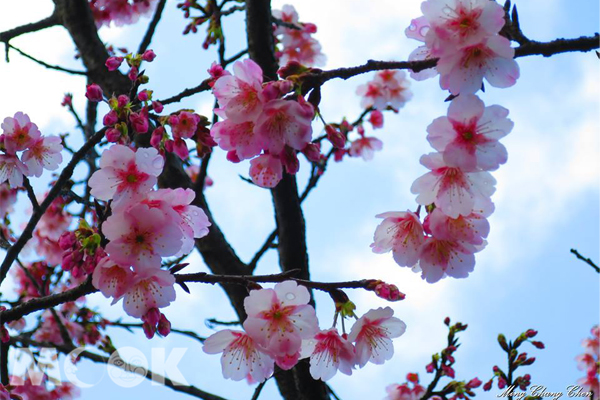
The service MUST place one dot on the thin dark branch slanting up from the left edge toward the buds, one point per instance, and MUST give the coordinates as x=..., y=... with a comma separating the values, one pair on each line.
x=65, y=175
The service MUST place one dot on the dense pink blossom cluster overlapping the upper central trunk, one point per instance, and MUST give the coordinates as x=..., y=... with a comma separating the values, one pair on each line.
x=258, y=124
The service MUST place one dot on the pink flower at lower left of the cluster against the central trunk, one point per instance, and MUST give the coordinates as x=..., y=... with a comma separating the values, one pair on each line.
x=238, y=137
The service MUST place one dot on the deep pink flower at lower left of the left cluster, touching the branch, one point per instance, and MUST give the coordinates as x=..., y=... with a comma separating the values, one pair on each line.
x=112, y=279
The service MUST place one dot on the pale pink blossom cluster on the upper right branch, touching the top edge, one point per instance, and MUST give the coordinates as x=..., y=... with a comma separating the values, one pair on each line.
x=464, y=36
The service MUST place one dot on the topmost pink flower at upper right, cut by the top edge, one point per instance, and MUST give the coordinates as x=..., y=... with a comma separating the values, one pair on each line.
x=460, y=23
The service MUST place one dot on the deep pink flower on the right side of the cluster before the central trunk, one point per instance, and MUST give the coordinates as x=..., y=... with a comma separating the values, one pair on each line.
x=285, y=122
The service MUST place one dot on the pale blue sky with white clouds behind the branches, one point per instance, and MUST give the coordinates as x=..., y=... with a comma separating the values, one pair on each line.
x=547, y=198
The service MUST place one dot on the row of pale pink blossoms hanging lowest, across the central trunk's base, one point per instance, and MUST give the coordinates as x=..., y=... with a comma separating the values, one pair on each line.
x=282, y=328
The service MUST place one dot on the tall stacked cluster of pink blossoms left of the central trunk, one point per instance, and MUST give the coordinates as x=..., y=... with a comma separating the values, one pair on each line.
x=145, y=225
